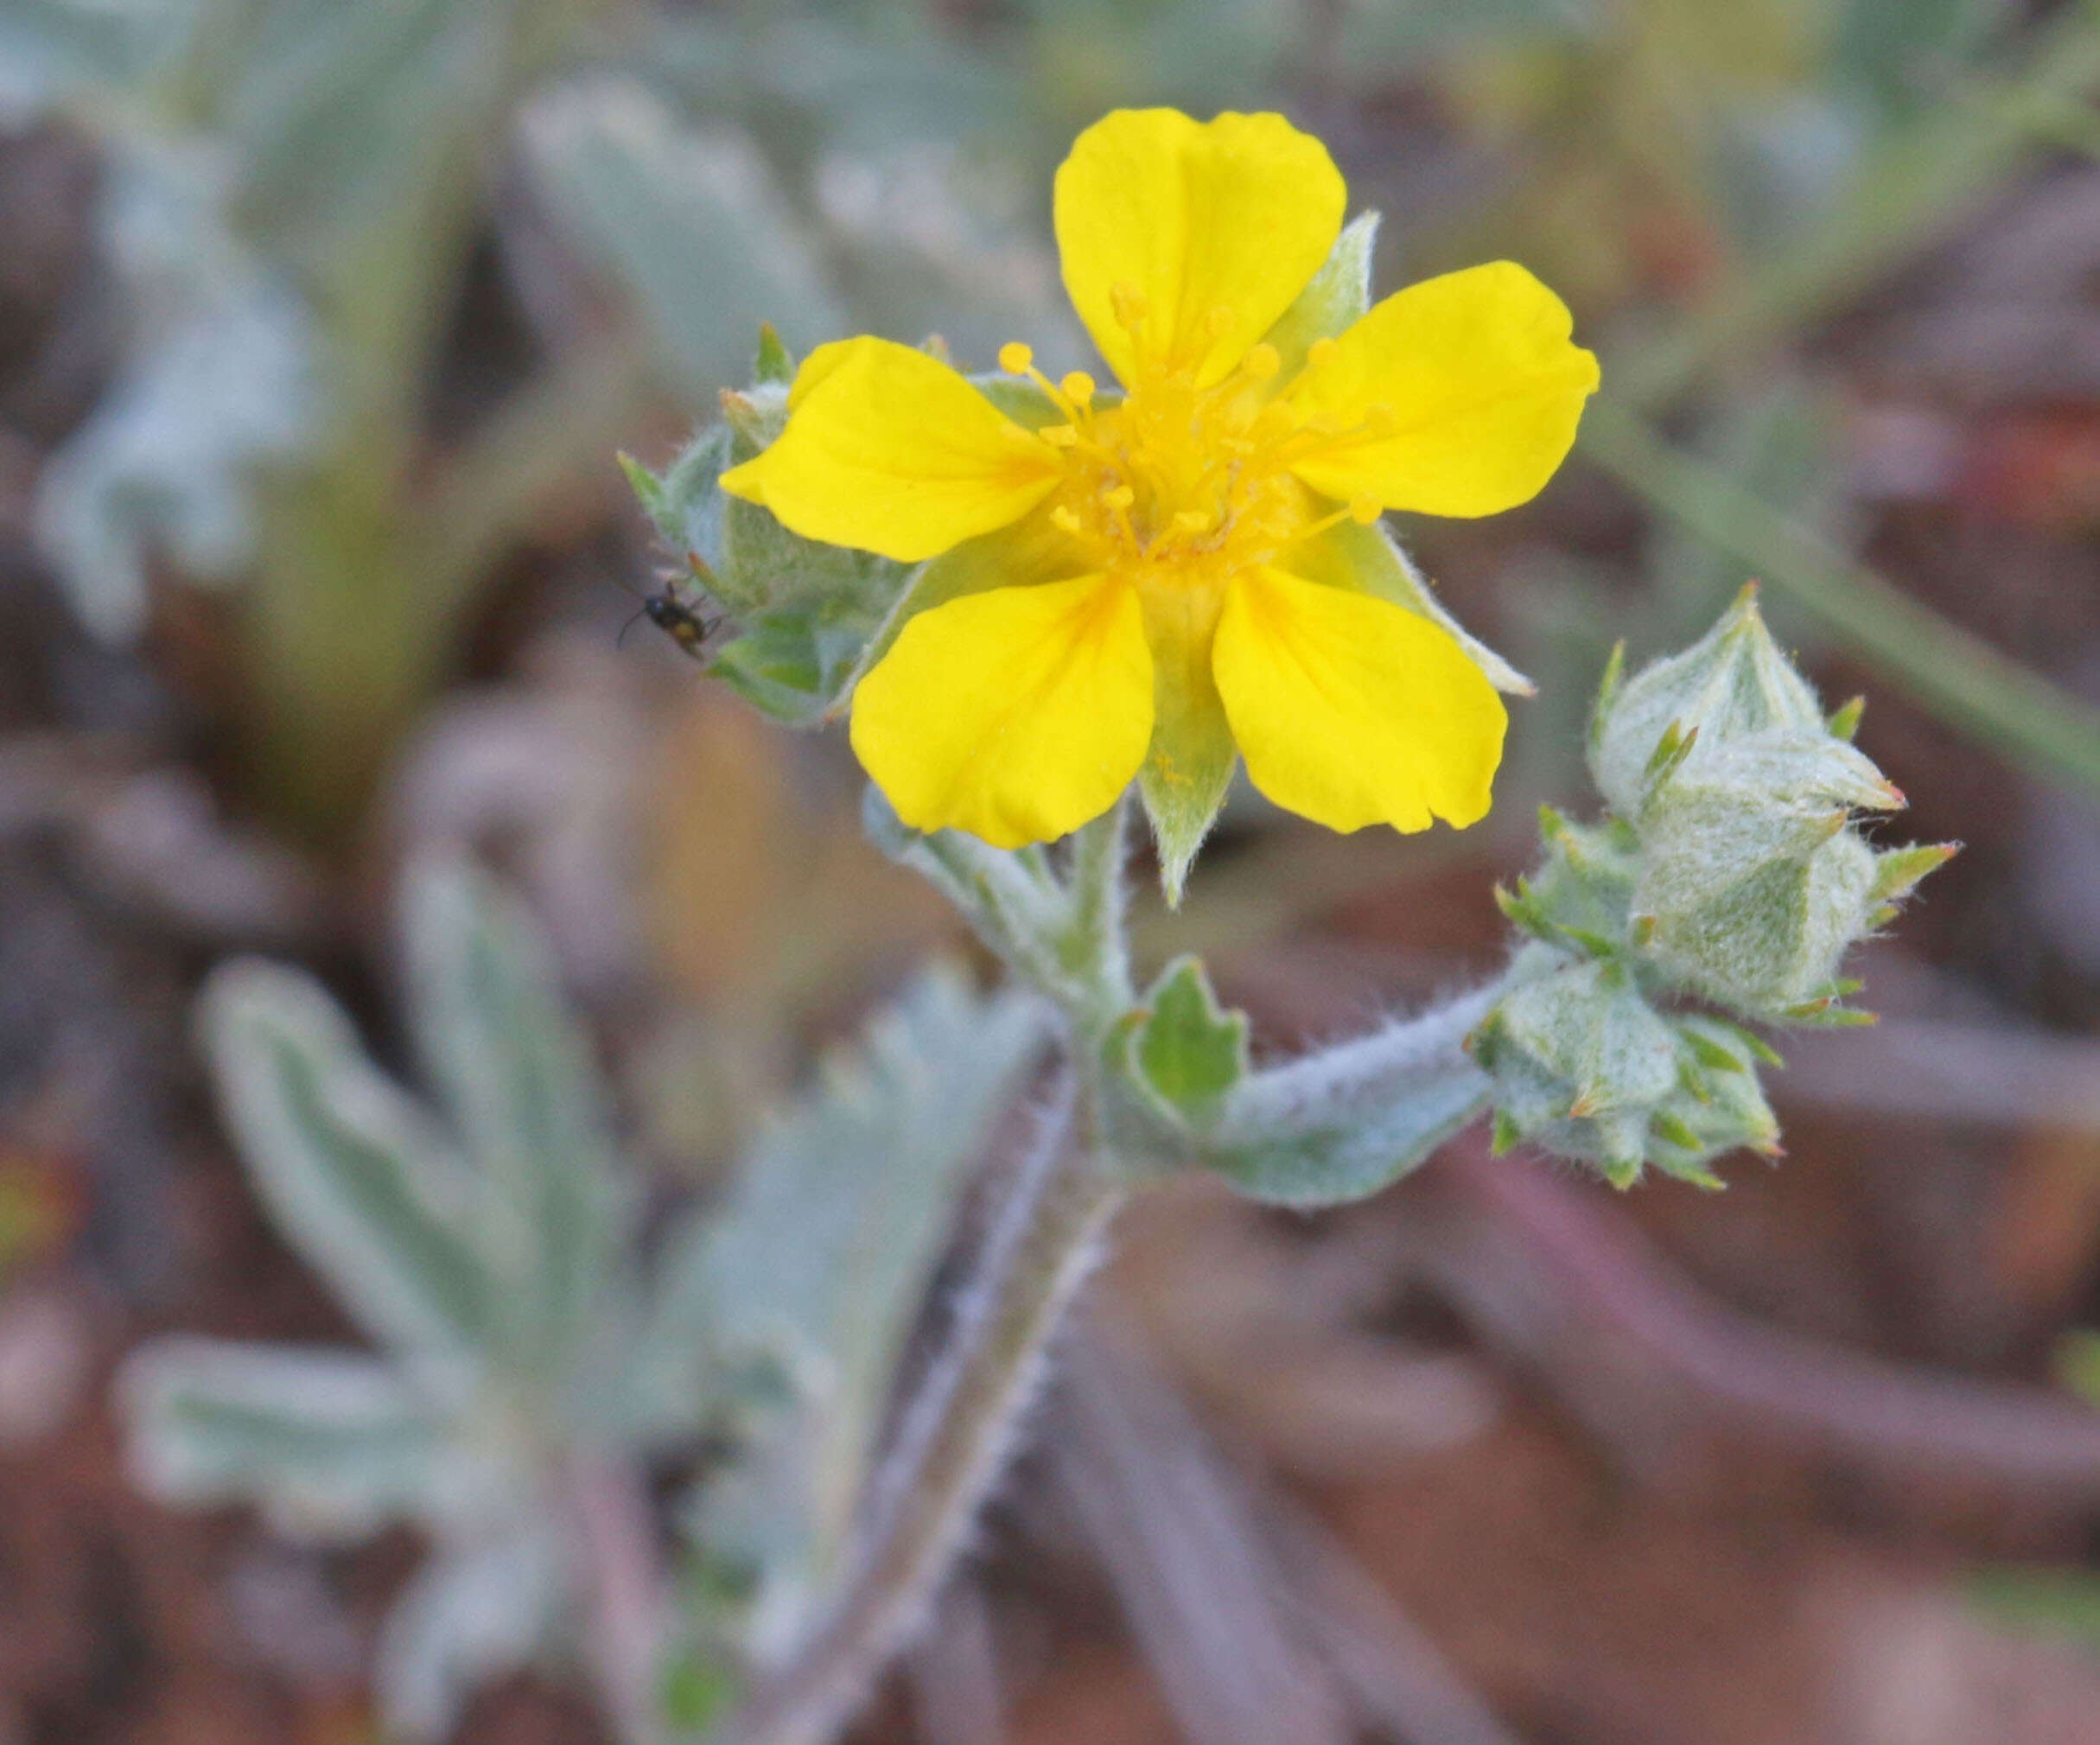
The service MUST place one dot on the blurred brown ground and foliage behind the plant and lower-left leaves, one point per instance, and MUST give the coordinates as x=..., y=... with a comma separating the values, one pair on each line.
x=320, y=327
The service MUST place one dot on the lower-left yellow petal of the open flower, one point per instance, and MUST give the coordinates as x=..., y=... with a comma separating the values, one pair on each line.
x=1015, y=715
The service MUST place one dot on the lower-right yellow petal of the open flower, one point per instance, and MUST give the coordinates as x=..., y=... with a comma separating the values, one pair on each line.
x=1353, y=711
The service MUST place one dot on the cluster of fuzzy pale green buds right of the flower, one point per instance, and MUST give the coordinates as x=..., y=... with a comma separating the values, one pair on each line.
x=1729, y=870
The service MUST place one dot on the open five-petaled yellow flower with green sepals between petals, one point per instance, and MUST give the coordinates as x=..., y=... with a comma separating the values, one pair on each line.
x=1150, y=585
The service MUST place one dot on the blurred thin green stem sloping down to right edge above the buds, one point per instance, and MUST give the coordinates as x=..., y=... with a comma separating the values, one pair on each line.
x=1956, y=673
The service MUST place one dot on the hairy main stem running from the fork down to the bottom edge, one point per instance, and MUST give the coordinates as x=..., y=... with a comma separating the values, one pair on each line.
x=954, y=1437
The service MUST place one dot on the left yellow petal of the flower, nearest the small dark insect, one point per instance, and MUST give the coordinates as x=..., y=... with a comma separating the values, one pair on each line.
x=894, y=453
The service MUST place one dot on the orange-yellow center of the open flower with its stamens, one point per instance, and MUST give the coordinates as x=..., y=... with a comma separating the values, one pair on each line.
x=1179, y=484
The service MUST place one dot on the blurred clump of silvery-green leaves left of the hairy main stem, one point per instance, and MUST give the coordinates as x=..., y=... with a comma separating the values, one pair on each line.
x=526, y=1347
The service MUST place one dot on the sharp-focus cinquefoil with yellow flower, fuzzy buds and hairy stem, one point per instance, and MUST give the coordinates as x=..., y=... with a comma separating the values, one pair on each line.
x=1038, y=597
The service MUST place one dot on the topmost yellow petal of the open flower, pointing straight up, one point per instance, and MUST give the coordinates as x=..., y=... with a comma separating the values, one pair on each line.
x=1196, y=217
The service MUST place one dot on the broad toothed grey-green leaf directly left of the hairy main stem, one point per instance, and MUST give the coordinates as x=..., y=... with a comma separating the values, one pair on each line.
x=822, y=1255
